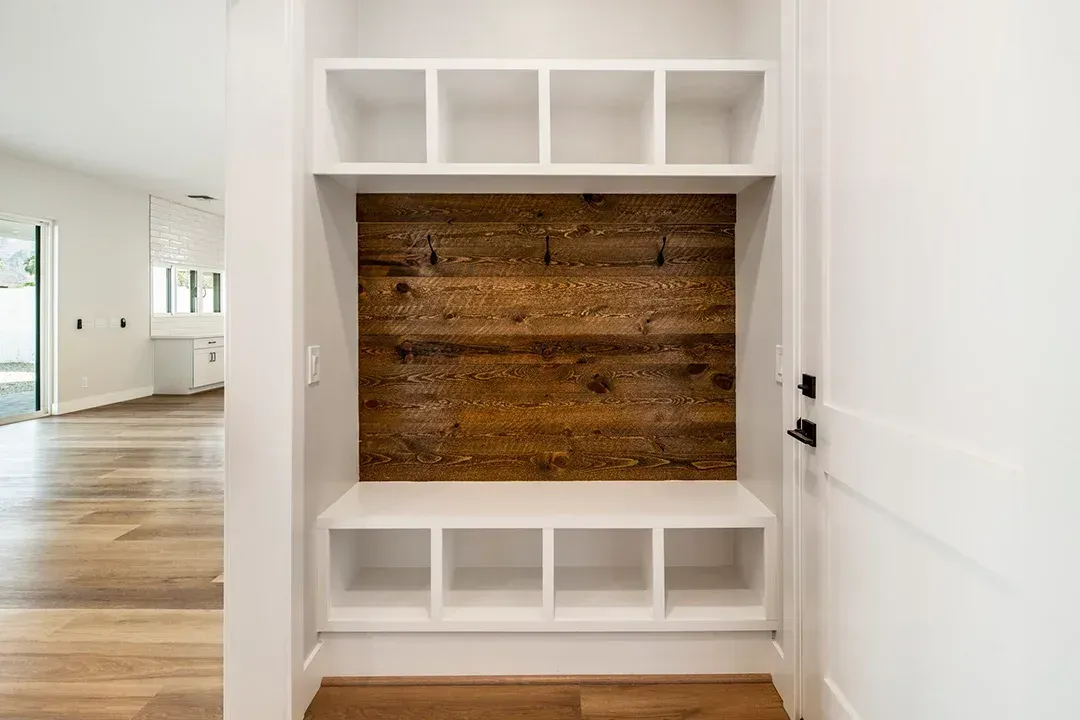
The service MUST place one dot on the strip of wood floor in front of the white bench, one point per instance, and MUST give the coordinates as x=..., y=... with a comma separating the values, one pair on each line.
x=647, y=702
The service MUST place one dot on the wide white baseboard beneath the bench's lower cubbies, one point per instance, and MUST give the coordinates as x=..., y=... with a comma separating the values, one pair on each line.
x=358, y=655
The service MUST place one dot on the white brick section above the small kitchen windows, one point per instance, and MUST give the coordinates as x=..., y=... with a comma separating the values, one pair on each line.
x=184, y=236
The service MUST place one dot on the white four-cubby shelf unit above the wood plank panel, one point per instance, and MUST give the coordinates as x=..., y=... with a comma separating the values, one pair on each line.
x=686, y=119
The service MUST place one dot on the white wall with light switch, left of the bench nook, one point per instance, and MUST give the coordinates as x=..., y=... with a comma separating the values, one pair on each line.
x=285, y=229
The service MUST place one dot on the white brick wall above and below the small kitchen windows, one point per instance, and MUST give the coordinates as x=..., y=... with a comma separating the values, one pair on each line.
x=194, y=239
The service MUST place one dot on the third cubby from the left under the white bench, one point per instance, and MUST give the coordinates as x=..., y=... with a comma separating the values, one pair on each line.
x=604, y=575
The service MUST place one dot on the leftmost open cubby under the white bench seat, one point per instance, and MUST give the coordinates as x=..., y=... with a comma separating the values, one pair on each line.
x=380, y=576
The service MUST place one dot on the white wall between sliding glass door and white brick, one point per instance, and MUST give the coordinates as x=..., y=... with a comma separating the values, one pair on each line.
x=102, y=265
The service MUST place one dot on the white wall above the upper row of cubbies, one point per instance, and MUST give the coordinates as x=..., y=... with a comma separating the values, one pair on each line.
x=569, y=29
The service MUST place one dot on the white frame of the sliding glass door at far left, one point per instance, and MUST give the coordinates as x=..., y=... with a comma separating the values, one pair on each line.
x=46, y=320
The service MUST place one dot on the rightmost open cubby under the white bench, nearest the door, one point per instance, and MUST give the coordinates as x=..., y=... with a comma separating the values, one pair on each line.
x=714, y=575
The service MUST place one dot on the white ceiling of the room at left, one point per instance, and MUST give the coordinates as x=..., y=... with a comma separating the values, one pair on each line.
x=131, y=90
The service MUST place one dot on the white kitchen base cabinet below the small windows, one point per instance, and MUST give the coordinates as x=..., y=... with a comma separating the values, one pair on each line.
x=183, y=366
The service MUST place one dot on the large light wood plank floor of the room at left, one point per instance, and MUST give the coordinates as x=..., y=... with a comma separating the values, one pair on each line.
x=111, y=539
